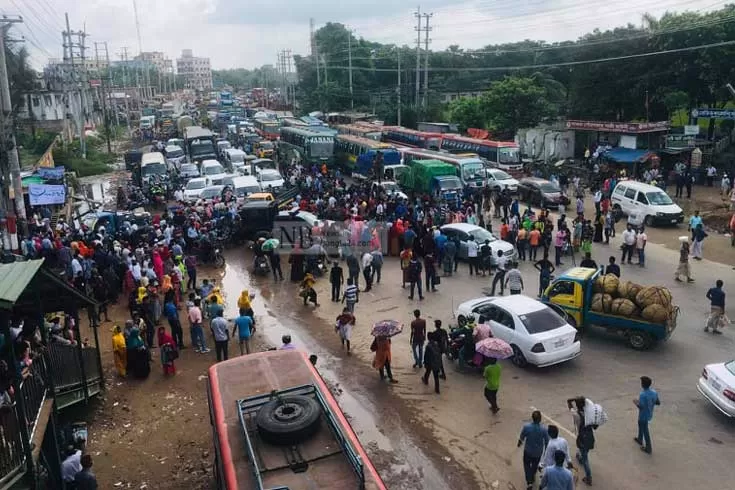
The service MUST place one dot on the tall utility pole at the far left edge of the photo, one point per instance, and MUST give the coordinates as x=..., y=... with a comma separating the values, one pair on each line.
x=7, y=133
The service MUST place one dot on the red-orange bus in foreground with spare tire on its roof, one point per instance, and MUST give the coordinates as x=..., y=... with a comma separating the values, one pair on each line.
x=275, y=425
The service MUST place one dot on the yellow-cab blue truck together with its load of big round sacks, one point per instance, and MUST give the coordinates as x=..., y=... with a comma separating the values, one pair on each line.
x=644, y=315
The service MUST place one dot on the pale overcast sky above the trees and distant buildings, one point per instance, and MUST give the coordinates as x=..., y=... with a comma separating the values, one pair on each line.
x=238, y=33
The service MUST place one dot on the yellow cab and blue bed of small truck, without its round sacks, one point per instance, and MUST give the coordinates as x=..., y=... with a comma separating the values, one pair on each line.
x=573, y=292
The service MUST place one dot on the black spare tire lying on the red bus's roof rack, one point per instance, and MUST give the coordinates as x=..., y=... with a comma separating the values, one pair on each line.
x=288, y=420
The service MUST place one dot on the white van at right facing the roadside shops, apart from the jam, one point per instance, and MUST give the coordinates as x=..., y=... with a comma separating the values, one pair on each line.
x=647, y=203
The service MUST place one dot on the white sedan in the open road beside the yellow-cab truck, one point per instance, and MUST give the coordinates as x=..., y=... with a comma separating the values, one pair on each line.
x=537, y=333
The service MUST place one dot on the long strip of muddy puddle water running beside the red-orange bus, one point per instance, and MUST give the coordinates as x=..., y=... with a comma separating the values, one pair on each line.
x=400, y=462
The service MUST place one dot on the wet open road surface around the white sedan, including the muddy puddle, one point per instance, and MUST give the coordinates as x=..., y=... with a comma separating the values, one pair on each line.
x=422, y=440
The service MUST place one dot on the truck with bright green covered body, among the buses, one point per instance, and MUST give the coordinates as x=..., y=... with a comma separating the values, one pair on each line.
x=433, y=177
